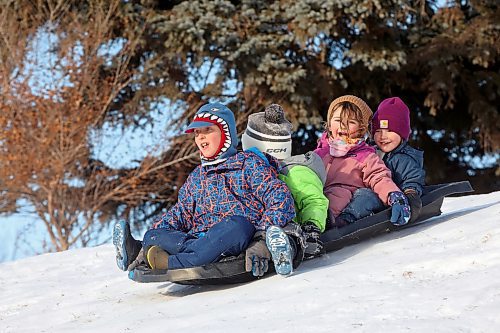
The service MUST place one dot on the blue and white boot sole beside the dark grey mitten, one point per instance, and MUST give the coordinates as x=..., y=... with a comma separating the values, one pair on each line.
x=281, y=251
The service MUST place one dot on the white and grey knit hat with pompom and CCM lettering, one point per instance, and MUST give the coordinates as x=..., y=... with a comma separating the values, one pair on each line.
x=270, y=132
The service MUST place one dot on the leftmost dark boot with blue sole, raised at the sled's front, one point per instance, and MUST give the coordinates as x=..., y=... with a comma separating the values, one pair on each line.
x=126, y=247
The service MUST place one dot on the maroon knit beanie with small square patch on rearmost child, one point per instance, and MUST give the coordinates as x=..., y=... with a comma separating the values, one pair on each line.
x=392, y=114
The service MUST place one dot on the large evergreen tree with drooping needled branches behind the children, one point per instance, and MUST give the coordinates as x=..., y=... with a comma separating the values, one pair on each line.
x=442, y=61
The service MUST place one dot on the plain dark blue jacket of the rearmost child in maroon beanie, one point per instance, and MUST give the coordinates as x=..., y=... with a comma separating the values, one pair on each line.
x=407, y=167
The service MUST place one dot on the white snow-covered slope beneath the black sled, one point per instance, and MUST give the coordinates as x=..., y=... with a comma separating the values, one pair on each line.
x=442, y=276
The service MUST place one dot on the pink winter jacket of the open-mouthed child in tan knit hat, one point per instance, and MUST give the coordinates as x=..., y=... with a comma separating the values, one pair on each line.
x=360, y=167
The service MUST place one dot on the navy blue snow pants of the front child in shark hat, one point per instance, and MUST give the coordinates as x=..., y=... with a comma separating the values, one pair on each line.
x=229, y=237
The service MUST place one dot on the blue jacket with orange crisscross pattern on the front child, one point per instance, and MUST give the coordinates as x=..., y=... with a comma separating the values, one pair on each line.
x=242, y=185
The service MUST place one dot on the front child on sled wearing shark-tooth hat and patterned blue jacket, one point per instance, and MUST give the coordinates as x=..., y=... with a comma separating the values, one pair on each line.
x=220, y=206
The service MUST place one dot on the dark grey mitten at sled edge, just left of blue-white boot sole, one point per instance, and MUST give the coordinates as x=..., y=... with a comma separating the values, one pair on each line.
x=257, y=255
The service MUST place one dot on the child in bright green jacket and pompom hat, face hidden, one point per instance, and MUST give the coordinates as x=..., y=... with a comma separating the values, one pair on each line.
x=270, y=132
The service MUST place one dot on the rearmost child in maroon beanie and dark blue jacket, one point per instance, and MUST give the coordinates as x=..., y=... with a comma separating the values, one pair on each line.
x=391, y=130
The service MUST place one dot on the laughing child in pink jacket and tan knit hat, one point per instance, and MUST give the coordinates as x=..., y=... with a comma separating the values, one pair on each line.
x=354, y=172
